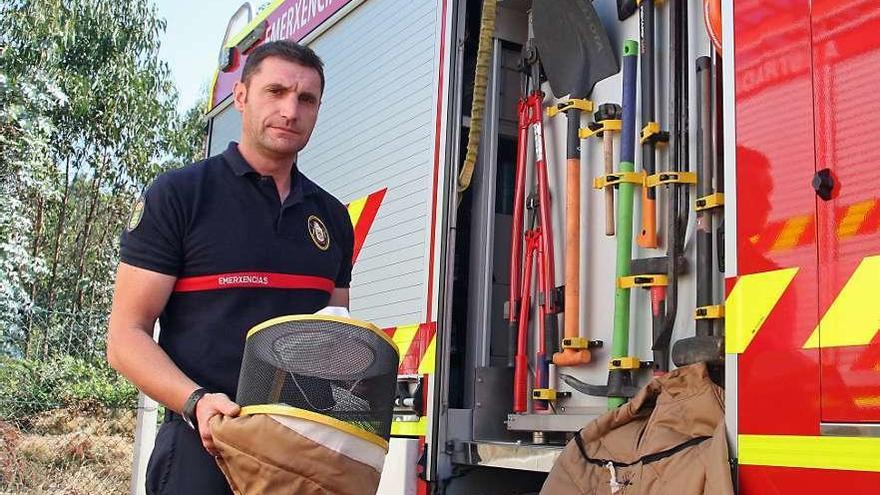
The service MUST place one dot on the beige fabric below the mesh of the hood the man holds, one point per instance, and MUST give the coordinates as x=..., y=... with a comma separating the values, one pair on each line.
x=261, y=456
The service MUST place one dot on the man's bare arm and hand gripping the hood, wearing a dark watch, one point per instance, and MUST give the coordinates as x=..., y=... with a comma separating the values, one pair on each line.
x=138, y=300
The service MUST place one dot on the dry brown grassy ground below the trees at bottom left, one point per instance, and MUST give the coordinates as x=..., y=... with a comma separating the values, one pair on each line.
x=85, y=451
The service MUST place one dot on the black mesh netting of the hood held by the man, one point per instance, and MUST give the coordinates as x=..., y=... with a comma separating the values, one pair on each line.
x=341, y=370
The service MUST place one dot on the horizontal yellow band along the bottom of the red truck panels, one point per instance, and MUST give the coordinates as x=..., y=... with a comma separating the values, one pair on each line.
x=843, y=453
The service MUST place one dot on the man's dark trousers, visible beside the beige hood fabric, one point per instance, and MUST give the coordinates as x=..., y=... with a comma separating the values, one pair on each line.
x=180, y=465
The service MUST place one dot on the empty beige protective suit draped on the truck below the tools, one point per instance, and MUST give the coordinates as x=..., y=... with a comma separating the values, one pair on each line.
x=661, y=419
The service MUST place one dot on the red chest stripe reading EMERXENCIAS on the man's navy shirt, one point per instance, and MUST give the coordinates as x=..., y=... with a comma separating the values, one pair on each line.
x=253, y=280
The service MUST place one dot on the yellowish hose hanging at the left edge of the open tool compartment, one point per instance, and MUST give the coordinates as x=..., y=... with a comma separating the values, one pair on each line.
x=478, y=107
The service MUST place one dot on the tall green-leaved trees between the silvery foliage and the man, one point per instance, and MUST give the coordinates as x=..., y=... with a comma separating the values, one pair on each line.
x=107, y=139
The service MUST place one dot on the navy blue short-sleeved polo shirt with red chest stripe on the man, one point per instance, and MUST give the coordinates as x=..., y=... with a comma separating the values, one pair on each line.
x=240, y=256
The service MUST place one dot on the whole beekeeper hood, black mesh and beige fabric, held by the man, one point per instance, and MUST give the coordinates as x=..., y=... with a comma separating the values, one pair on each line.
x=317, y=395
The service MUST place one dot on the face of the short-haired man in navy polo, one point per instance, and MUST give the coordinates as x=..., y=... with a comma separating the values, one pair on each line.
x=279, y=107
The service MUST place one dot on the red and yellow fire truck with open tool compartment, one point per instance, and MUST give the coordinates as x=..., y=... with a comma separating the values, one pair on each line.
x=780, y=108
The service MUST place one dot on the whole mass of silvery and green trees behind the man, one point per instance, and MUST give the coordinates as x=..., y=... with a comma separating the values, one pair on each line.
x=87, y=119
